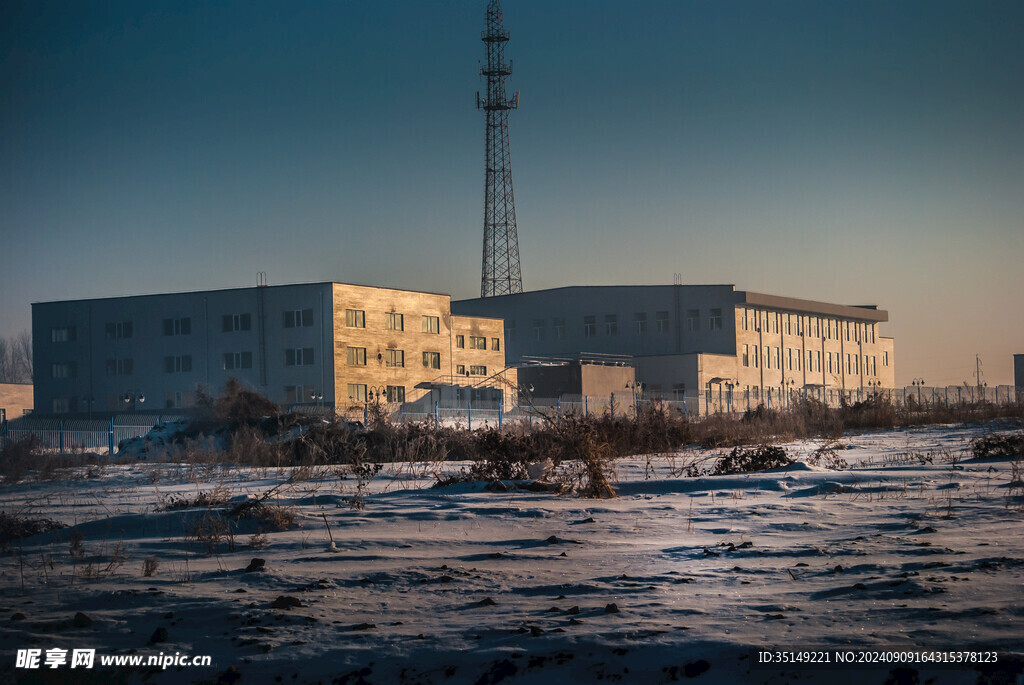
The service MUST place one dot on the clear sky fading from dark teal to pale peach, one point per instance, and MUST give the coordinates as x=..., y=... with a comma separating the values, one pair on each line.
x=859, y=153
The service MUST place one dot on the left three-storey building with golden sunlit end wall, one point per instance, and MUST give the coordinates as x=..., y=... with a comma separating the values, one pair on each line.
x=327, y=345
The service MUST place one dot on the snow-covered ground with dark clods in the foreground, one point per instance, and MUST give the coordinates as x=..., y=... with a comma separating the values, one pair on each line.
x=914, y=547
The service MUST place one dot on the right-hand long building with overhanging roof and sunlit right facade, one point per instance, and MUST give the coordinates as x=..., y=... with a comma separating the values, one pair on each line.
x=703, y=341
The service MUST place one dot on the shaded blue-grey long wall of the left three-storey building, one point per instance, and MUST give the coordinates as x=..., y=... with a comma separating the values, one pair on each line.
x=107, y=365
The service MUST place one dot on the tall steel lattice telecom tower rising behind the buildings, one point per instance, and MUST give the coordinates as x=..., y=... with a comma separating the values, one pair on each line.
x=501, y=240
